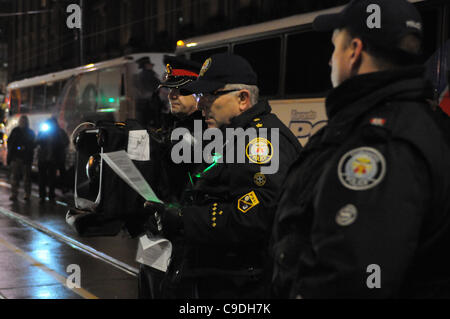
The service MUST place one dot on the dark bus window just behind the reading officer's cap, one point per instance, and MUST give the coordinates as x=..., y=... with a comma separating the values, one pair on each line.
x=264, y=57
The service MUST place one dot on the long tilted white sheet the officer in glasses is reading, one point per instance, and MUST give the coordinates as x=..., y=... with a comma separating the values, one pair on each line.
x=122, y=165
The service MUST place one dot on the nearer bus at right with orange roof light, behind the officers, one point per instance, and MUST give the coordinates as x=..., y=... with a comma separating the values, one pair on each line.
x=285, y=53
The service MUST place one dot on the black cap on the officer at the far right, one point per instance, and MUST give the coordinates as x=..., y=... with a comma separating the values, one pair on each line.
x=382, y=22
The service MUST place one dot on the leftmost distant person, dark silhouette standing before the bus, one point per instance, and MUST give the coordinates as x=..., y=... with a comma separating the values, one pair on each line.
x=20, y=157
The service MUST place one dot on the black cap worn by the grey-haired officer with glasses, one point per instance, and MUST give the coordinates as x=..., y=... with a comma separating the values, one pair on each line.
x=221, y=69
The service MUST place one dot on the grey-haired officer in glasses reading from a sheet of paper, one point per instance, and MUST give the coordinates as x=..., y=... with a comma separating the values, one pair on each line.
x=226, y=227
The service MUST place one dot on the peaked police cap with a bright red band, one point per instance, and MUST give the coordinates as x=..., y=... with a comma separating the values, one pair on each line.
x=179, y=71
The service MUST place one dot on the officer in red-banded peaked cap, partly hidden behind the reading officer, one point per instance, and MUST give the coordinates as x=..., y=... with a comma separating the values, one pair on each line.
x=173, y=178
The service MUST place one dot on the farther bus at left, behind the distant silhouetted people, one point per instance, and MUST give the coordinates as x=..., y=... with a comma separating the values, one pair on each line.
x=107, y=90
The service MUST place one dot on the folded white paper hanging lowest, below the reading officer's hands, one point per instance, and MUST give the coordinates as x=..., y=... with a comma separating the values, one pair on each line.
x=154, y=252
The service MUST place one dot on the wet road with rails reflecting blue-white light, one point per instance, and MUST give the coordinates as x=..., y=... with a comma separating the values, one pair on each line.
x=41, y=257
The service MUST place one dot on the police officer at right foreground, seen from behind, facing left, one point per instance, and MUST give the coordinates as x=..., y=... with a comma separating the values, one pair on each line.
x=365, y=212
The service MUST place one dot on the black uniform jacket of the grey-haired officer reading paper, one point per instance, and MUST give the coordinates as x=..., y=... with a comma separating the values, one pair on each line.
x=230, y=219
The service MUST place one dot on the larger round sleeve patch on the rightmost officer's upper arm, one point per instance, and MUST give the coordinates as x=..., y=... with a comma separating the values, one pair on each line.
x=362, y=168
